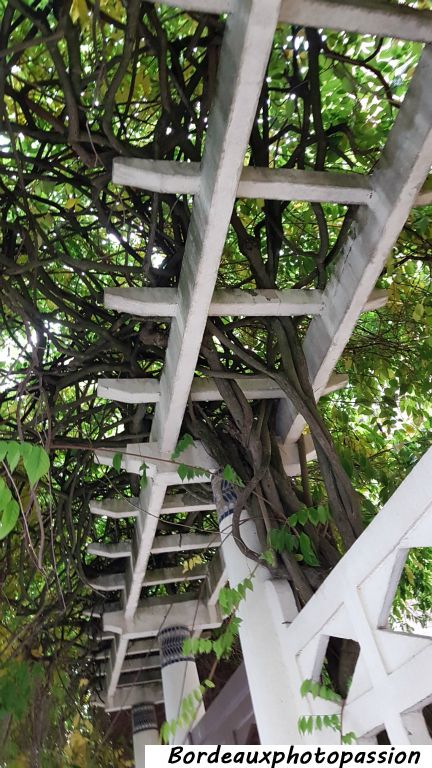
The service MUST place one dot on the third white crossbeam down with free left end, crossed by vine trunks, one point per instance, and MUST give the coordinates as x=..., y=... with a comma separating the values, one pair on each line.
x=203, y=390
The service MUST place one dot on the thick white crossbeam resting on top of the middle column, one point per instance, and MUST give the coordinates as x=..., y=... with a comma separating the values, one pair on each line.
x=151, y=616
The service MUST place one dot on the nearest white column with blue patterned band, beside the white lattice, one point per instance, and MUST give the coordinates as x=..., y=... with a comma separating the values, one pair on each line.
x=262, y=613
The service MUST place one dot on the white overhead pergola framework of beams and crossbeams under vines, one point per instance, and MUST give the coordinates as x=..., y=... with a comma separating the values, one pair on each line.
x=385, y=199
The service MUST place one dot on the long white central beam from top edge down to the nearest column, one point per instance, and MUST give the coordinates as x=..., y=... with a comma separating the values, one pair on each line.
x=244, y=55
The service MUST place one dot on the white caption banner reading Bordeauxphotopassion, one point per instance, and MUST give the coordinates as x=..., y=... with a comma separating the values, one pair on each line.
x=273, y=756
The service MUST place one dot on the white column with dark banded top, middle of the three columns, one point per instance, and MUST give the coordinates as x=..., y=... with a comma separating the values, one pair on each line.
x=179, y=678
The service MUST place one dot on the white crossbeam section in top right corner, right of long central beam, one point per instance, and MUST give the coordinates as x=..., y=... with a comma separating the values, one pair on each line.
x=374, y=17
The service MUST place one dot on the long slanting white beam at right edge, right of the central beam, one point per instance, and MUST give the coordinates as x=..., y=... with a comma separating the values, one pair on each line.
x=397, y=179
